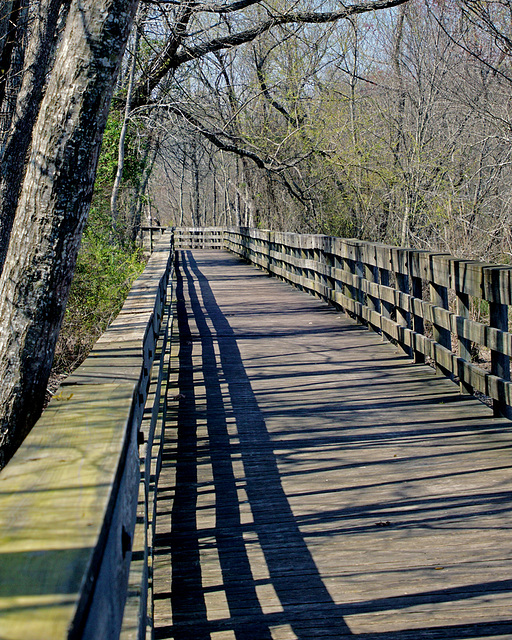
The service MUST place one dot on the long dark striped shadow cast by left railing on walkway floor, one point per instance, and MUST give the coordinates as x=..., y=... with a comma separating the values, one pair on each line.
x=274, y=523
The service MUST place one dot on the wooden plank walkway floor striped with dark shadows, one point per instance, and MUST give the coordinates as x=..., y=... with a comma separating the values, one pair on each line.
x=318, y=484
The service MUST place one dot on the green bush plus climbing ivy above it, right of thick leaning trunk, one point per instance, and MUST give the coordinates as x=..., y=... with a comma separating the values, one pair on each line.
x=106, y=265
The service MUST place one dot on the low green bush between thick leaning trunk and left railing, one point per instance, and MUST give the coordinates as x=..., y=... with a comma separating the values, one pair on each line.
x=103, y=277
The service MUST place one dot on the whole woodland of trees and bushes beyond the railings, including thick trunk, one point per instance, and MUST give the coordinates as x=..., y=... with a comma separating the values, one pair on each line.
x=384, y=120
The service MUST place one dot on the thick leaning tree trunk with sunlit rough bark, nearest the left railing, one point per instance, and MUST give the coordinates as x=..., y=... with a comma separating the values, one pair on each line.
x=53, y=207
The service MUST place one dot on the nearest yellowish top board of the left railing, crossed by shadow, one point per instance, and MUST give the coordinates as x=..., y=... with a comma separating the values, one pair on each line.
x=53, y=505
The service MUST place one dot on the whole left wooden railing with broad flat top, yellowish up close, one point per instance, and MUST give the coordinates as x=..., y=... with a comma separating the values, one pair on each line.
x=77, y=499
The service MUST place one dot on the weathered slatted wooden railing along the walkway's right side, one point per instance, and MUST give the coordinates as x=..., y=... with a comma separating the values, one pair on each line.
x=418, y=299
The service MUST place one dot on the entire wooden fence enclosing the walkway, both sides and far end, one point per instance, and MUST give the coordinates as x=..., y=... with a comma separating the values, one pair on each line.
x=77, y=500
